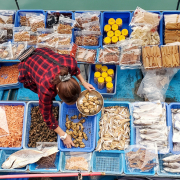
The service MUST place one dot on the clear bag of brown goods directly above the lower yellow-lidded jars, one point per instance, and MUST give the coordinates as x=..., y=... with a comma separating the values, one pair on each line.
x=109, y=54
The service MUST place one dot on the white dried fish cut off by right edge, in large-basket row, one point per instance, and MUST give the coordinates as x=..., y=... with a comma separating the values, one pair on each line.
x=176, y=129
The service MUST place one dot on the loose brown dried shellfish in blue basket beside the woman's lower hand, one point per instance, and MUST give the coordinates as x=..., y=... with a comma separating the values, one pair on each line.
x=77, y=132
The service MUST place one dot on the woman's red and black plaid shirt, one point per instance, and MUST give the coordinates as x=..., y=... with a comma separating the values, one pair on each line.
x=36, y=74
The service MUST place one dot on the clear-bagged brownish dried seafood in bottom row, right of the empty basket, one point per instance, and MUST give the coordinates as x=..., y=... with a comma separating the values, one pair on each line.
x=141, y=159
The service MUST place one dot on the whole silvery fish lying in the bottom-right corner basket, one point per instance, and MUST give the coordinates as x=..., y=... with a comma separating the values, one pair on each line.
x=171, y=163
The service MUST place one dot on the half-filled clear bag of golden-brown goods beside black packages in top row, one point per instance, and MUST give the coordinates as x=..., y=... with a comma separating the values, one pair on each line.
x=65, y=25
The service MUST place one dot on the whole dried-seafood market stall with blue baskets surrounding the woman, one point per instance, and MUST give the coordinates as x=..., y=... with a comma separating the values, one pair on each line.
x=131, y=58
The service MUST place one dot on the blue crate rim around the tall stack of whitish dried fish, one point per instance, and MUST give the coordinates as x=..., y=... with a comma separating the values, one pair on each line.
x=168, y=123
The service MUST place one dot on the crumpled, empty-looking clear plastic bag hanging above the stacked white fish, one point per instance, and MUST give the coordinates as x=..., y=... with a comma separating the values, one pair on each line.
x=155, y=84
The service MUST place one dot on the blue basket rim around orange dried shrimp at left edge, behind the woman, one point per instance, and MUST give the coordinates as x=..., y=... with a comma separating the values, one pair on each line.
x=9, y=86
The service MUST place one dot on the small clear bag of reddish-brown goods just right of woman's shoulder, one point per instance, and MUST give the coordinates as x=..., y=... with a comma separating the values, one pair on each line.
x=86, y=55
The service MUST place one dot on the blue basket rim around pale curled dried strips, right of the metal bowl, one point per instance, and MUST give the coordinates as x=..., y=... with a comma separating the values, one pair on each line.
x=115, y=103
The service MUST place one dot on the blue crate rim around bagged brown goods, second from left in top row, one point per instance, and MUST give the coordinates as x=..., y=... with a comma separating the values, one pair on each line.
x=23, y=13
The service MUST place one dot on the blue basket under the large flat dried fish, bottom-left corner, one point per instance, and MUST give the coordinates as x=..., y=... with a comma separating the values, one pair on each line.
x=4, y=155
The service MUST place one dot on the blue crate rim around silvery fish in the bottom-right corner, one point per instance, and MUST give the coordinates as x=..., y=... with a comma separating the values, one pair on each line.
x=160, y=170
